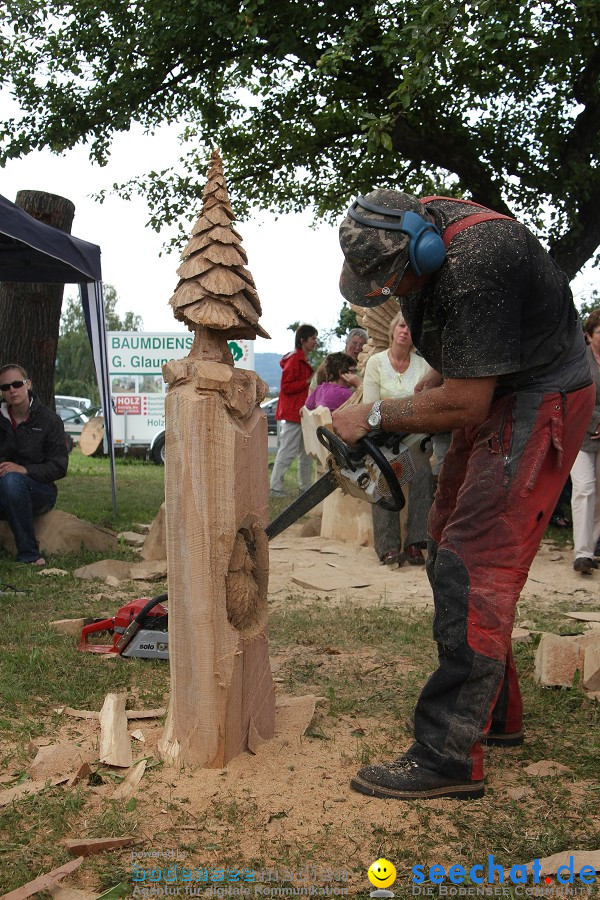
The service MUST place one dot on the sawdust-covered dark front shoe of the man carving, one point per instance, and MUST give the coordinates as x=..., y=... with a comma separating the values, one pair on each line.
x=404, y=779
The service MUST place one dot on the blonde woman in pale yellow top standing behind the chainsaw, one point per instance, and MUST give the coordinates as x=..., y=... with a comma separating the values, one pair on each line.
x=391, y=374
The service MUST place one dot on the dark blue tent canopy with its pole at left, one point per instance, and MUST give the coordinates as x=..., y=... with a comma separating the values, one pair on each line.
x=31, y=251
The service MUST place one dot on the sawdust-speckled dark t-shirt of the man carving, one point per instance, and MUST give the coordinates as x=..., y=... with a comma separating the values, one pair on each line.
x=498, y=306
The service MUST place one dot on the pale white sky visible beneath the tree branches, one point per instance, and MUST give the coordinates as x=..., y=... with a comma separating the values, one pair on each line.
x=296, y=268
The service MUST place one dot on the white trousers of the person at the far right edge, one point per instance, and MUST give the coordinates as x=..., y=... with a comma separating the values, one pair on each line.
x=585, y=503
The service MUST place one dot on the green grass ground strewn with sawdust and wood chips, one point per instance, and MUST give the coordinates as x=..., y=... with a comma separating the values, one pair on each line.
x=367, y=664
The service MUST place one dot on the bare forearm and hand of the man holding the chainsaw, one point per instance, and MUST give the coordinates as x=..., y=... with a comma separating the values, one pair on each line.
x=457, y=403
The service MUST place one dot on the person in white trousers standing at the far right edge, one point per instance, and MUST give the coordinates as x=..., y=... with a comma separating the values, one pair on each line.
x=585, y=474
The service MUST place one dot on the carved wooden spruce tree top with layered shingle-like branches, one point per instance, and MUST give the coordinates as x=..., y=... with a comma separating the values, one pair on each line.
x=216, y=290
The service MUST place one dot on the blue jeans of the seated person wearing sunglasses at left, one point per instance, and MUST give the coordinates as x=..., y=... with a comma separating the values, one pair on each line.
x=22, y=498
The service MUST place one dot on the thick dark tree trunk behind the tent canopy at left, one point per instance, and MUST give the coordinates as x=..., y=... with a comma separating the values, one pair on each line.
x=30, y=312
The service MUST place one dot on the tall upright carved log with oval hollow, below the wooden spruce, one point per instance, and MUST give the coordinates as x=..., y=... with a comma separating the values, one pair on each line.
x=216, y=508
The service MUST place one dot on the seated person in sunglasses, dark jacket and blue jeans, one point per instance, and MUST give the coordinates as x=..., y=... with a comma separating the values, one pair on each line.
x=33, y=455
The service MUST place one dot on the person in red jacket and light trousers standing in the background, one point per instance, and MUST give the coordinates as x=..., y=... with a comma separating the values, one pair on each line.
x=292, y=396
